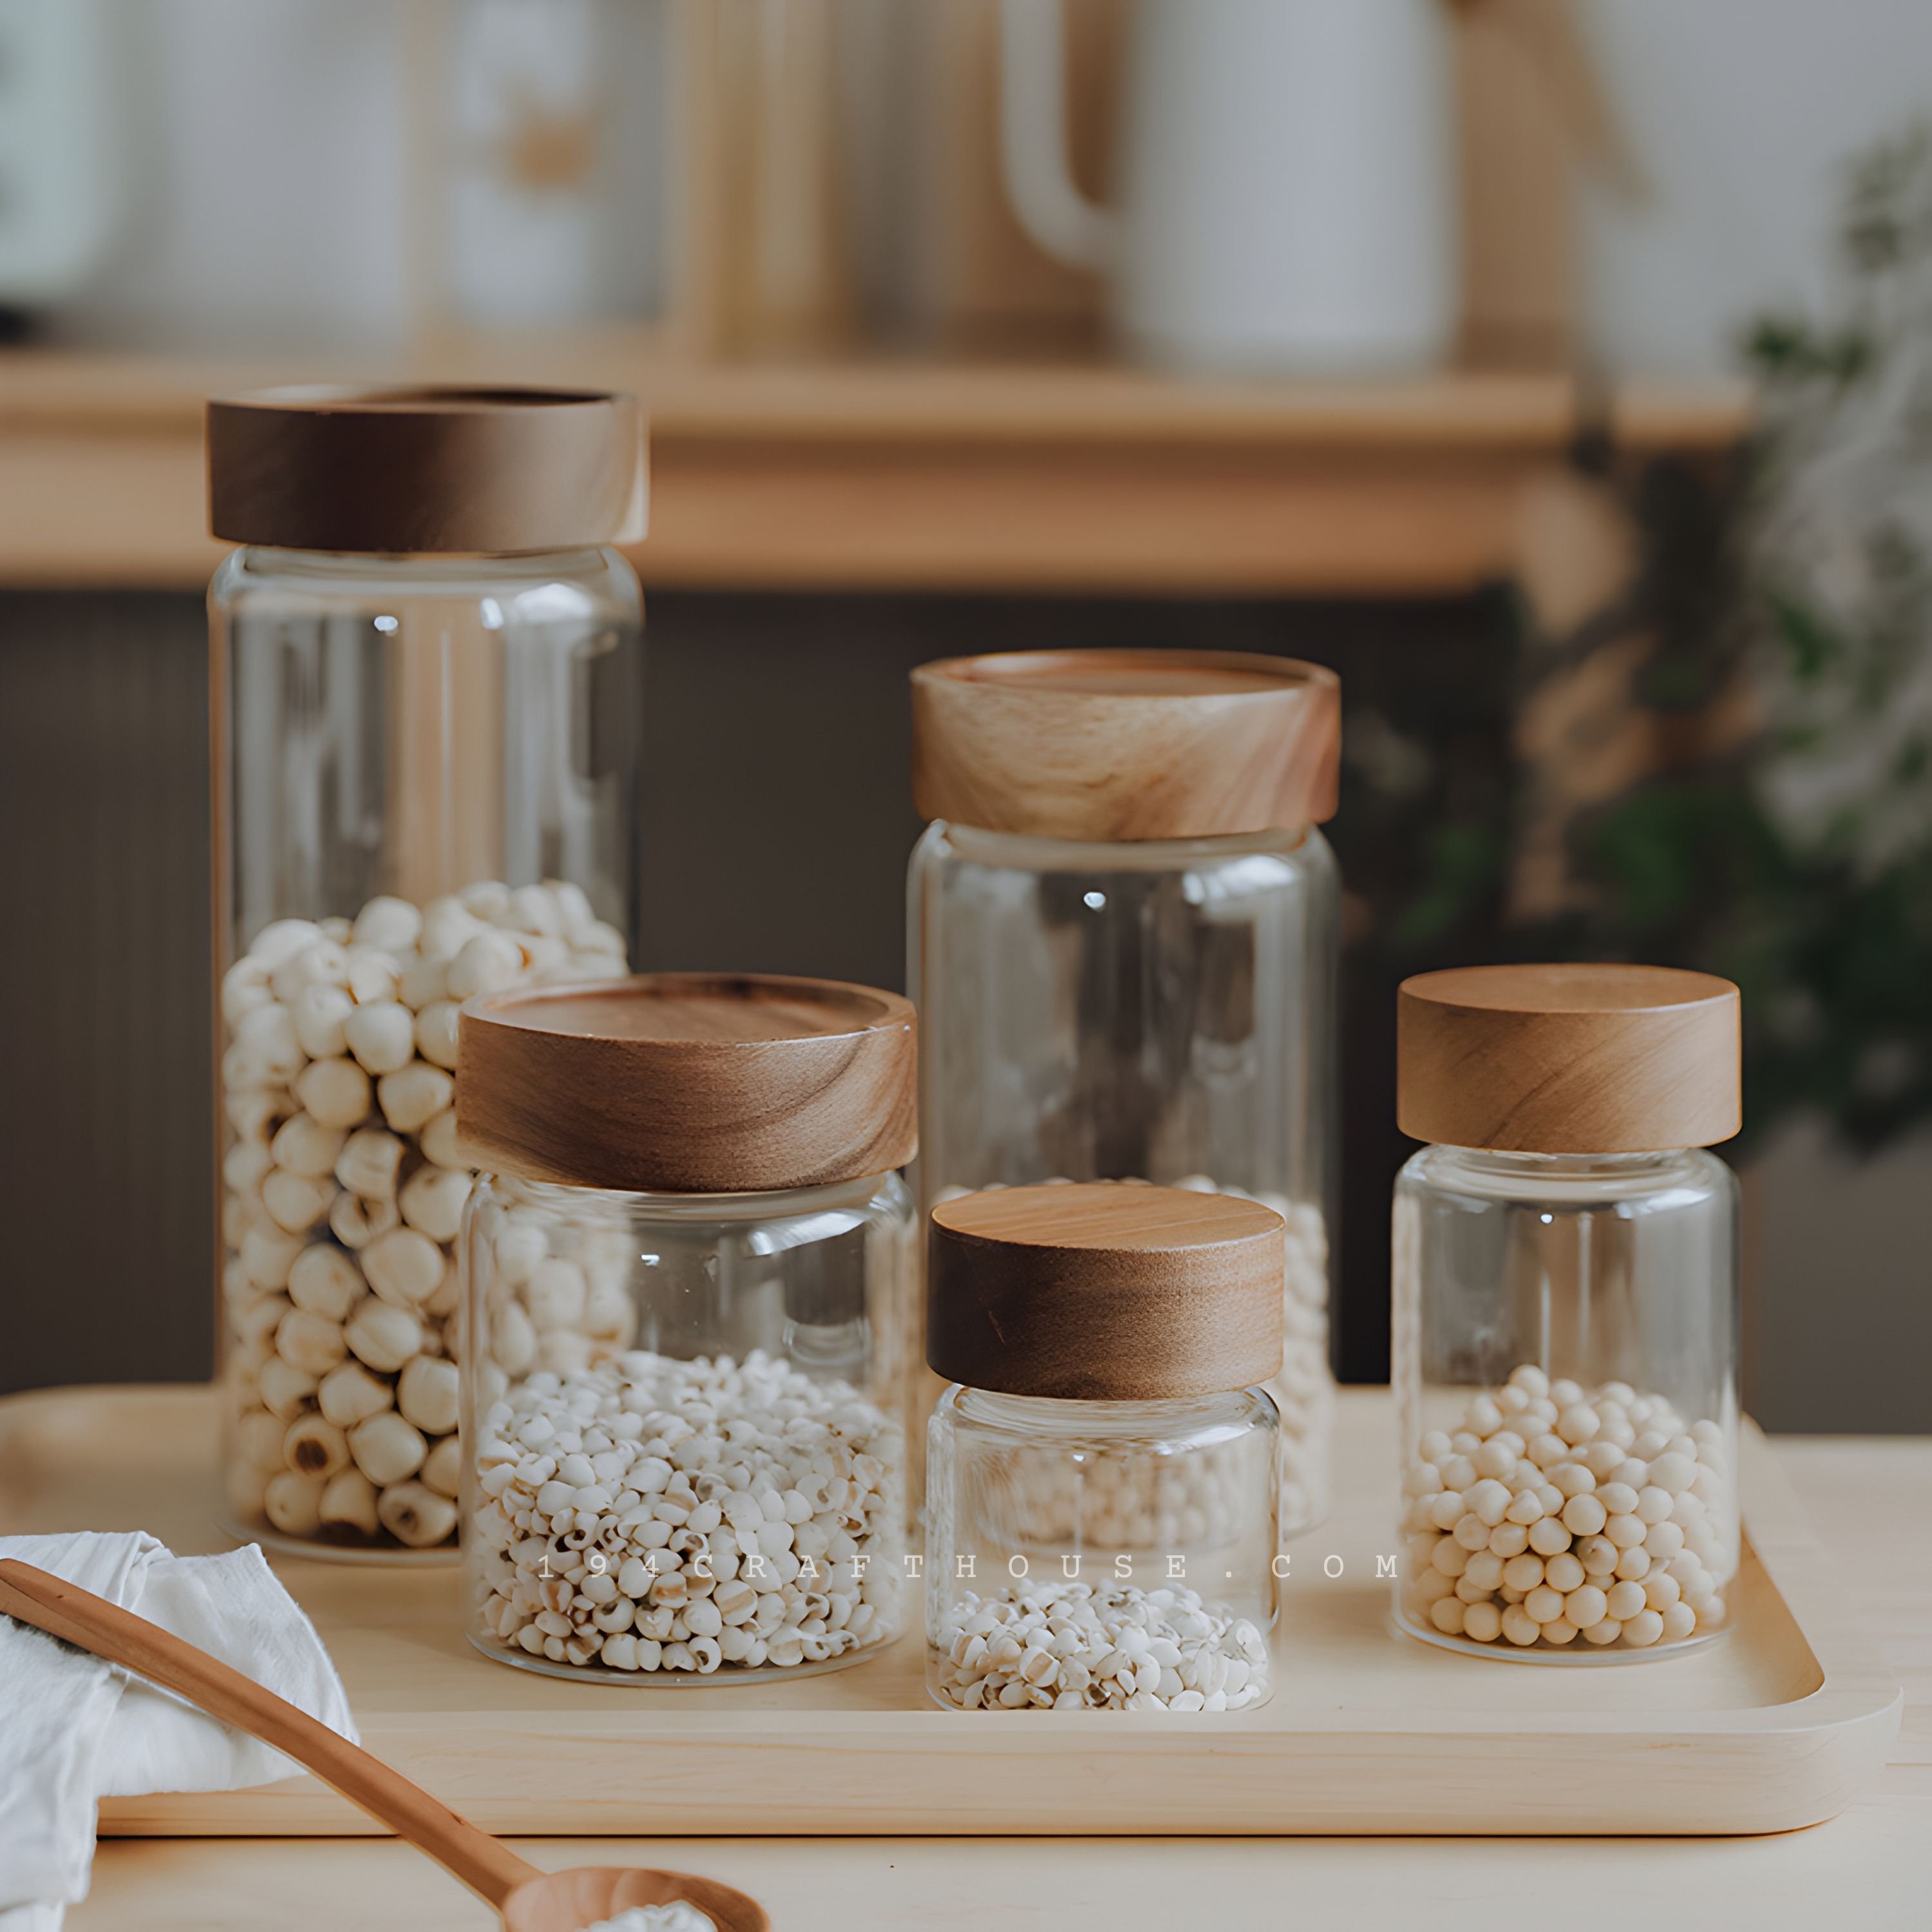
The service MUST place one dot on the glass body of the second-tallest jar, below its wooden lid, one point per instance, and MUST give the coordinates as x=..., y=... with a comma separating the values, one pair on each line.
x=1160, y=1011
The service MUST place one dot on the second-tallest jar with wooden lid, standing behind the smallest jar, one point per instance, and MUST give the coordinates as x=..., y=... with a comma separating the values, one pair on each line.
x=1125, y=928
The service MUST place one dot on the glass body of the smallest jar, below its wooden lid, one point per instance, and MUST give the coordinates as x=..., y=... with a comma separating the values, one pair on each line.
x=1131, y=1543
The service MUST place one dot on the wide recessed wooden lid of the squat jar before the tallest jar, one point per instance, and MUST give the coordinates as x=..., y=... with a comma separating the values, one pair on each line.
x=691, y=1083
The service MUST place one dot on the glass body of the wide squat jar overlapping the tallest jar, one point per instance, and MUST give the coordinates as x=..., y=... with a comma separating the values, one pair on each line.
x=687, y=1460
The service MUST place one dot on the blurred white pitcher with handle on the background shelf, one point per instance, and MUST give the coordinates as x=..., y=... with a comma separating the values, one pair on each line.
x=1286, y=181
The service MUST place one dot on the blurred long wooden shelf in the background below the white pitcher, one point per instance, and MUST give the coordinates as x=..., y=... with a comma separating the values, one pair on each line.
x=903, y=476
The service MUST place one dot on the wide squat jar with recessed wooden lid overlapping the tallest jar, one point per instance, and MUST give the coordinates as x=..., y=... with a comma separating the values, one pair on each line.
x=689, y=1295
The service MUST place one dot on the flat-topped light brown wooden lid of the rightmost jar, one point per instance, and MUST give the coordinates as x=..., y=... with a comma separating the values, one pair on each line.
x=1568, y=1060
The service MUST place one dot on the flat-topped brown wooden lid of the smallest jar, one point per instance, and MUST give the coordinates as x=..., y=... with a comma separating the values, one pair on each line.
x=1106, y=1292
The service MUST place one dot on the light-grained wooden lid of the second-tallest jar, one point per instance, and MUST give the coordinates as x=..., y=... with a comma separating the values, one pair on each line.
x=1125, y=745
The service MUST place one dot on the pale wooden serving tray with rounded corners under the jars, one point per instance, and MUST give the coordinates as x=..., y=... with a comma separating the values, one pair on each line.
x=1369, y=1732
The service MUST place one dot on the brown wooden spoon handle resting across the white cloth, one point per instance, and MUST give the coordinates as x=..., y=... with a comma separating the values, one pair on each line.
x=65, y=1610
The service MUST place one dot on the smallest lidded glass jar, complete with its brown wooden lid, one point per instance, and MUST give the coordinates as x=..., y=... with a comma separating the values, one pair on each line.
x=1104, y=1473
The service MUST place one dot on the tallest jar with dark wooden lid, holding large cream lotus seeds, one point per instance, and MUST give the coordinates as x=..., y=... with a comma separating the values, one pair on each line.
x=426, y=698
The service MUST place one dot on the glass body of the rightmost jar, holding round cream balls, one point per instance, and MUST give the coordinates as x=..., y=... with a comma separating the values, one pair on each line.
x=1566, y=1382
